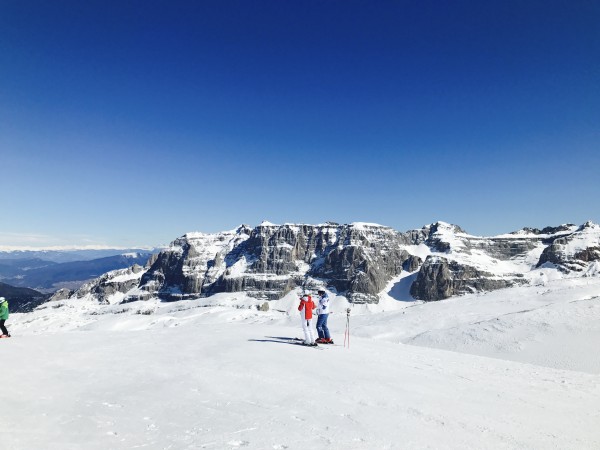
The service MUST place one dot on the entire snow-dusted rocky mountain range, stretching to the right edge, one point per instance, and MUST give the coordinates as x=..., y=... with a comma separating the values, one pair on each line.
x=356, y=260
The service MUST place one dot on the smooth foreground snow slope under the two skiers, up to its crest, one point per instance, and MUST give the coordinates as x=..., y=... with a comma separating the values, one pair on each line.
x=227, y=386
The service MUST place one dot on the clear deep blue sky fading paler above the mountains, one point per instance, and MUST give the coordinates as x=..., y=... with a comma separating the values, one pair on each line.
x=133, y=122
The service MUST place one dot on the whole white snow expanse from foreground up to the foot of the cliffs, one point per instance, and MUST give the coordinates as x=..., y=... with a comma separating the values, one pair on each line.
x=517, y=368
